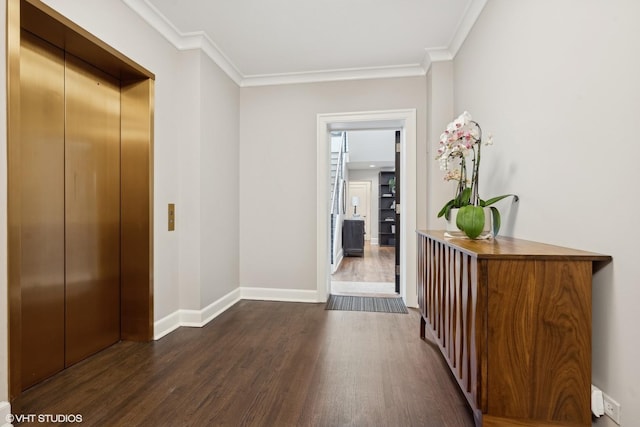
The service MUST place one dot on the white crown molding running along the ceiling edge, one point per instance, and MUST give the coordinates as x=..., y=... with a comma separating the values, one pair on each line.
x=200, y=40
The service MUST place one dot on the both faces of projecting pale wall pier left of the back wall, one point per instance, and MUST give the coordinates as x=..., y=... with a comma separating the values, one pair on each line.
x=207, y=214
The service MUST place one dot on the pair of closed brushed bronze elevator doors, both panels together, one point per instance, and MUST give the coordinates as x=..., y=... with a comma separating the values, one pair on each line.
x=70, y=209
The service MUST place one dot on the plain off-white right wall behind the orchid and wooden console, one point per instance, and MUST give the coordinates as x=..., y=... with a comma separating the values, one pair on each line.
x=557, y=81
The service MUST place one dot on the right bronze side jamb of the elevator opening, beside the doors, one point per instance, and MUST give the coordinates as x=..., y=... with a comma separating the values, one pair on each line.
x=136, y=214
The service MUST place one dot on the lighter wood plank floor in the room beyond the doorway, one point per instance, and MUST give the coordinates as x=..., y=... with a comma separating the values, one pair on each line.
x=377, y=265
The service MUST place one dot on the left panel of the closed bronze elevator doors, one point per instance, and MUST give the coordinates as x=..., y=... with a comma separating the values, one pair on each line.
x=41, y=186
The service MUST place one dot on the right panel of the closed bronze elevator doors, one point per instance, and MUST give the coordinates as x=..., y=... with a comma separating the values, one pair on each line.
x=92, y=198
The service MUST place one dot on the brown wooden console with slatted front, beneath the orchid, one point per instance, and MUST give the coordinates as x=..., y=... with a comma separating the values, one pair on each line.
x=513, y=321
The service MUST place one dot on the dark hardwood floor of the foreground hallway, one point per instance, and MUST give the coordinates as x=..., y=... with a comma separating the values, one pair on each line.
x=264, y=364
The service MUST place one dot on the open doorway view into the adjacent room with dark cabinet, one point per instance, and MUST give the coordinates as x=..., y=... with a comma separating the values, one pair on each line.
x=364, y=242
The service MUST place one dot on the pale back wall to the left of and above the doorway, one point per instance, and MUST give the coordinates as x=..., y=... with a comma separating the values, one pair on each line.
x=278, y=127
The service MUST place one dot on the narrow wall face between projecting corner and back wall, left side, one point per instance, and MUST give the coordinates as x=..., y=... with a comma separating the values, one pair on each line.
x=220, y=204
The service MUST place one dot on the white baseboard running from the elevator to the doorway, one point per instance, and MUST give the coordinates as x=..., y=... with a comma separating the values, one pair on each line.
x=199, y=318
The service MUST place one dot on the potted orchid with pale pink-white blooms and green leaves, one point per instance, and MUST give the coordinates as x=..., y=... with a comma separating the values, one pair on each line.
x=463, y=139
